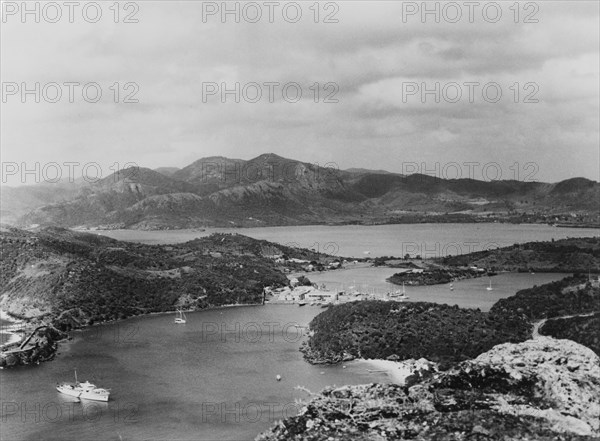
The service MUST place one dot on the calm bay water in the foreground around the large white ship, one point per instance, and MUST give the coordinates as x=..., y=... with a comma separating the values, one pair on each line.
x=211, y=379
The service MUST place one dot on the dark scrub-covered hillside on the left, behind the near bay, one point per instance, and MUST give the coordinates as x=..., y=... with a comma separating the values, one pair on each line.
x=55, y=274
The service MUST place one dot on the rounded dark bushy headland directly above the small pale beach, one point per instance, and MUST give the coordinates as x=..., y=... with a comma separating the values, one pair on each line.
x=440, y=333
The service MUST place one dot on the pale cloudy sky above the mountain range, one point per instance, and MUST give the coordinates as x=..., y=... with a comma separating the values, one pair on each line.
x=376, y=60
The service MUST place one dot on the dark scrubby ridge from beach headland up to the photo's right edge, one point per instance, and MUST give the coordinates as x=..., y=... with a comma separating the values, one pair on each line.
x=441, y=333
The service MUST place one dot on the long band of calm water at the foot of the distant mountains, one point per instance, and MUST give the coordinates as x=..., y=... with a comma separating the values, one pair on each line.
x=428, y=240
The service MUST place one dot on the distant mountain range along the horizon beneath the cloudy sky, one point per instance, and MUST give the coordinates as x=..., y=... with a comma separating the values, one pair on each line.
x=271, y=190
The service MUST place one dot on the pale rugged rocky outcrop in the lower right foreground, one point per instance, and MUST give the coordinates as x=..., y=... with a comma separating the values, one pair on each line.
x=543, y=389
